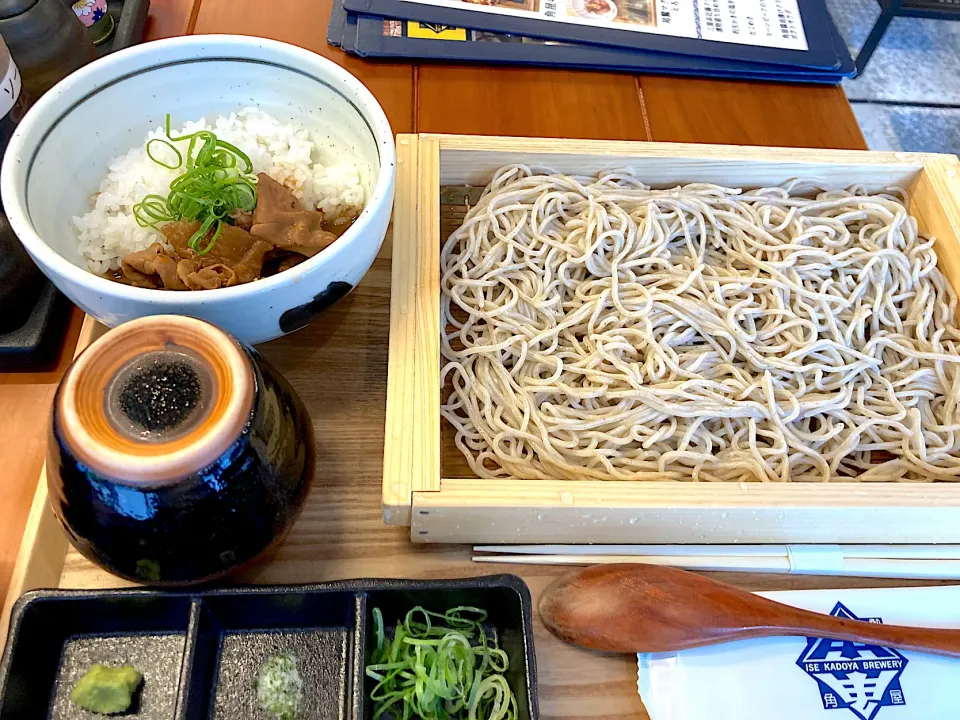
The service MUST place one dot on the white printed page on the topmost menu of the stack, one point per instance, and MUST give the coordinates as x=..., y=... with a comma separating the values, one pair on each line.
x=762, y=23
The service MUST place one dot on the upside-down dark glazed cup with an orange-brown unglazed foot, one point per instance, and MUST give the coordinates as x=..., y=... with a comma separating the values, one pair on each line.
x=176, y=453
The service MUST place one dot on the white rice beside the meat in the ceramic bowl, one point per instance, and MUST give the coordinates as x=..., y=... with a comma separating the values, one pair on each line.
x=321, y=177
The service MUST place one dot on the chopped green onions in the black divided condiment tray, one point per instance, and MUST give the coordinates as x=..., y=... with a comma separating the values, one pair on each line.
x=452, y=670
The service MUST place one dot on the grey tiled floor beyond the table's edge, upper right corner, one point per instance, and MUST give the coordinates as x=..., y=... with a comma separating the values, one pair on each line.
x=909, y=96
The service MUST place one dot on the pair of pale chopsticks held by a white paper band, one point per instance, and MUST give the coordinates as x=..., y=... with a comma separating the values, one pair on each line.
x=920, y=561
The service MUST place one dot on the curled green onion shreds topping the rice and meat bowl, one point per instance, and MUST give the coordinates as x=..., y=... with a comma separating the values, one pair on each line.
x=218, y=180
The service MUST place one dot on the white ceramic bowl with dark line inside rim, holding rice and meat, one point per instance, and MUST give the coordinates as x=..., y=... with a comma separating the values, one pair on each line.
x=60, y=152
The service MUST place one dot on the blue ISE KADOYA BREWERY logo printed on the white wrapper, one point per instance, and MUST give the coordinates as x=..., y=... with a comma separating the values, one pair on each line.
x=861, y=679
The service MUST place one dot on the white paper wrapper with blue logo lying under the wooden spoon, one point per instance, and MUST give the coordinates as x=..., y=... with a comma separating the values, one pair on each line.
x=811, y=679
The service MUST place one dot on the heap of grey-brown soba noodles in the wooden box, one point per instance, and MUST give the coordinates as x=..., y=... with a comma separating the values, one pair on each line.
x=597, y=329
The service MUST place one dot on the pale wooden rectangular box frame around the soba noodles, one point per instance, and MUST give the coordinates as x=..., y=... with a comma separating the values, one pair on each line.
x=470, y=510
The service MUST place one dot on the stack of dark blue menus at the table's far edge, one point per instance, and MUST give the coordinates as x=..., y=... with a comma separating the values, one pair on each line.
x=780, y=40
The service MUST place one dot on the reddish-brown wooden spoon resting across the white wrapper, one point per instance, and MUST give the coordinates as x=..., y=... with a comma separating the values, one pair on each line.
x=632, y=607
